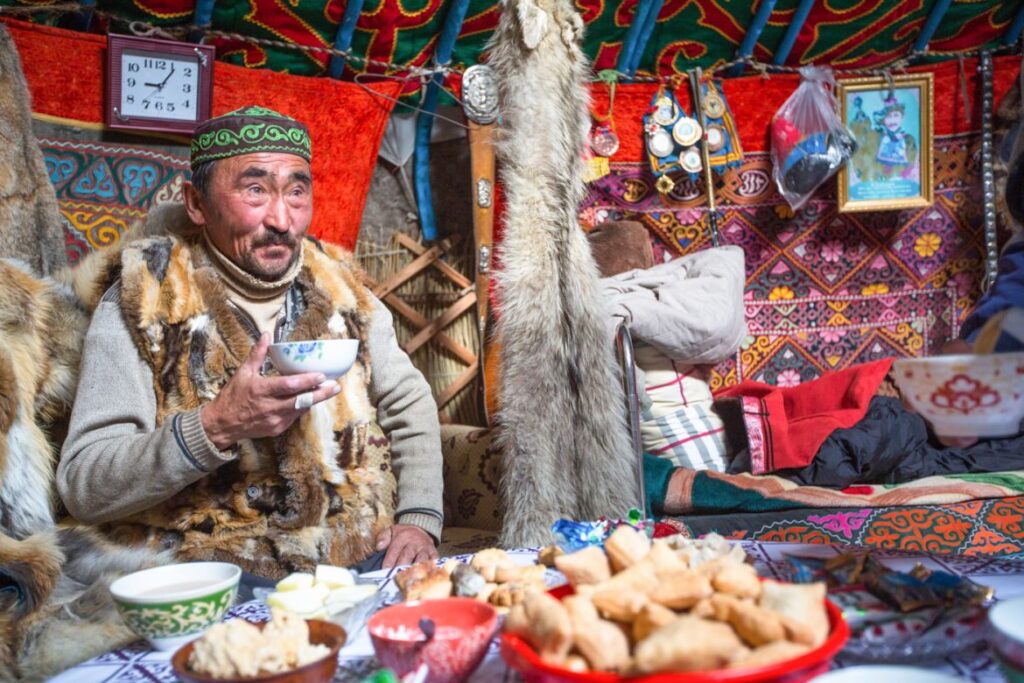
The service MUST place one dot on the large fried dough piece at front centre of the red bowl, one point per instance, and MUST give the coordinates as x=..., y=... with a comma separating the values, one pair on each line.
x=689, y=644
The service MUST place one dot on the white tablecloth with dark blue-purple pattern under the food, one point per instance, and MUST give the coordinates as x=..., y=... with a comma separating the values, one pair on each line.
x=139, y=663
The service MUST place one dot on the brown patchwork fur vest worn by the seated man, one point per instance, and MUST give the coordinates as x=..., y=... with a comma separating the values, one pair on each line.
x=319, y=493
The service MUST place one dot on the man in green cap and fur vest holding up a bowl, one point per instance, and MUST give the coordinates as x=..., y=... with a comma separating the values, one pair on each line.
x=184, y=438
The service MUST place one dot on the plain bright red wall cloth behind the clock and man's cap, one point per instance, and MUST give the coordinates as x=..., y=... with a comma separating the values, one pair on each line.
x=65, y=71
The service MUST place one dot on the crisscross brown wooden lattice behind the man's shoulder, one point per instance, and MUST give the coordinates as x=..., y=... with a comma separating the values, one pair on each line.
x=433, y=330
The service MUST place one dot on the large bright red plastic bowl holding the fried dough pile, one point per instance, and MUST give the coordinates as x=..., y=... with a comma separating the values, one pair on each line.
x=521, y=657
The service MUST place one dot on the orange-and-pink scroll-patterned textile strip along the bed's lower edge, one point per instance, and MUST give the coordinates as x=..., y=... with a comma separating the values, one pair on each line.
x=994, y=528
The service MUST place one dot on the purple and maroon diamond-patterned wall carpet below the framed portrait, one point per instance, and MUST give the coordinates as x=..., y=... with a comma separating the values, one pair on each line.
x=825, y=290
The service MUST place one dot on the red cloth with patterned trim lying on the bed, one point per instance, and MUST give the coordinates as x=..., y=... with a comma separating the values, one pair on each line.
x=786, y=426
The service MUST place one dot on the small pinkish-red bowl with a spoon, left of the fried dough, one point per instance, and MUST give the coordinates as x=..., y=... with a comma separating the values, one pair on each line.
x=464, y=628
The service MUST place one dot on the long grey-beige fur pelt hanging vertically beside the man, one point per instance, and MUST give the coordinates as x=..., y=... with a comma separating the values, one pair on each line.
x=563, y=422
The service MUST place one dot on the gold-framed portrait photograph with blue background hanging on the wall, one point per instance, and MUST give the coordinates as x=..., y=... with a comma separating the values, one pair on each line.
x=892, y=123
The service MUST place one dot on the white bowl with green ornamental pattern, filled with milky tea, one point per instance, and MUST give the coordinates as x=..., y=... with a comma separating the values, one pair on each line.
x=173, y=606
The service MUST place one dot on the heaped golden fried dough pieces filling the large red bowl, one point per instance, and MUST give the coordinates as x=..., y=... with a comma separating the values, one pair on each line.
x=644, y=608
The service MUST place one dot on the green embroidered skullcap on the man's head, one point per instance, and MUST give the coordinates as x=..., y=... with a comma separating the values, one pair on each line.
x=246, y=131
